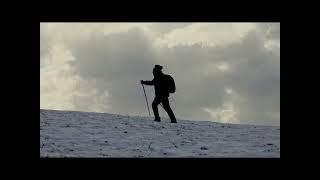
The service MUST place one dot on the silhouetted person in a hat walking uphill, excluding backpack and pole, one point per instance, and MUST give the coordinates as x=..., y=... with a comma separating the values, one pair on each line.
x=160, y=83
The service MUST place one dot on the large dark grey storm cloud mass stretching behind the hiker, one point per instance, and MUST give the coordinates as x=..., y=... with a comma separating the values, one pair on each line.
x=118, y=62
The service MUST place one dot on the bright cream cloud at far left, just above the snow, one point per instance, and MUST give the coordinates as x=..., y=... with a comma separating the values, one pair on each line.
x=61, y=88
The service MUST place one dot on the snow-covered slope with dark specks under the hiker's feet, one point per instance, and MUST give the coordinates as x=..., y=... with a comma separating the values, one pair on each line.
x=84, y=134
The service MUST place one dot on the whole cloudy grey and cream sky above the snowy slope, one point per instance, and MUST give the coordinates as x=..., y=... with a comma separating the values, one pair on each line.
x=224, y=72
